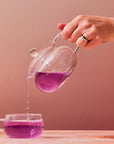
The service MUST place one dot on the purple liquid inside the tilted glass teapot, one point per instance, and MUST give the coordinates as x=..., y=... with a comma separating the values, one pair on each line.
x=50, y=82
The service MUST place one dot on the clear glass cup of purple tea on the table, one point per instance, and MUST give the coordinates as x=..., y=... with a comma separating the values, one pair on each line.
x=23, y=125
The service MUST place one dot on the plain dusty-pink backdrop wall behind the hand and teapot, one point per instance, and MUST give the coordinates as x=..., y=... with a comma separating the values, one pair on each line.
x=86, y=101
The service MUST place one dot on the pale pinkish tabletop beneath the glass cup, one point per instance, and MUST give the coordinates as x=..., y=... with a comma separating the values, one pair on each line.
x=64, y=137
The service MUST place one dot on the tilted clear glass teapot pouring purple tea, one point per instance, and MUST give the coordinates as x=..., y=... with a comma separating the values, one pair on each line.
x=52, y=65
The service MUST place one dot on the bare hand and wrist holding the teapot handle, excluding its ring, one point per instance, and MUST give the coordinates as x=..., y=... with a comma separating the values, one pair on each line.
x=96, y=29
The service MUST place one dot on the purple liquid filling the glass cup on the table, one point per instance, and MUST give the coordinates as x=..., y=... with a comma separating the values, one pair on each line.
x=23, y=129
